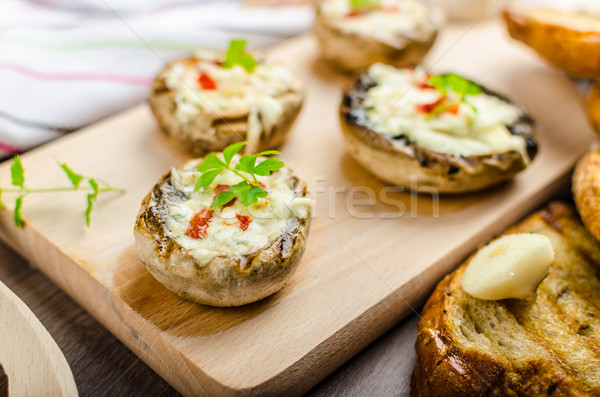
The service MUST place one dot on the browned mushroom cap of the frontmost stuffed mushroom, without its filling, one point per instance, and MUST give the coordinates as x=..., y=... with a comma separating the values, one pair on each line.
x=231, y=280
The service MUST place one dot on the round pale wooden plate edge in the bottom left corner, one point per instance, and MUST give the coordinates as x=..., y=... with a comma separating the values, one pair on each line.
x=31, y=361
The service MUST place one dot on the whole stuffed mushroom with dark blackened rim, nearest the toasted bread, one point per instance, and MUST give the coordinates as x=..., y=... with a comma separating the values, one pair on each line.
x=445, y=132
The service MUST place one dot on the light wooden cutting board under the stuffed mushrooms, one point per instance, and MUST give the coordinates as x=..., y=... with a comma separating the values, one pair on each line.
x=365, y=265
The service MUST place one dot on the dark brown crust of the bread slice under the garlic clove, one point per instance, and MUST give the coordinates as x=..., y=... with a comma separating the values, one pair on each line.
x=447, y=367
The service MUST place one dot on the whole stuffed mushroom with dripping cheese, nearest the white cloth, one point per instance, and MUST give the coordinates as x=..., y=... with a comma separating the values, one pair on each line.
x=215, y=99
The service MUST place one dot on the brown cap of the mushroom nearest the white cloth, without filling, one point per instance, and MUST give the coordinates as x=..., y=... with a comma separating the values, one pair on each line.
x=211, y=132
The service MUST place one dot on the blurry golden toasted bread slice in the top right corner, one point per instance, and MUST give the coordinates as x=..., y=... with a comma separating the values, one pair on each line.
x=568, y=40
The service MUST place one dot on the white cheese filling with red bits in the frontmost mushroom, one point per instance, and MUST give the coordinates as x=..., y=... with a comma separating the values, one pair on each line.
x=233, y=229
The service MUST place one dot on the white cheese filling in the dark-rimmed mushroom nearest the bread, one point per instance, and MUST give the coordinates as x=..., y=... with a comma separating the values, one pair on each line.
x=402, y=106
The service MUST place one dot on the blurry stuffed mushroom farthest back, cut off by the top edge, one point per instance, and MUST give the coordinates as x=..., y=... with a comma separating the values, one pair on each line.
x=355, y=34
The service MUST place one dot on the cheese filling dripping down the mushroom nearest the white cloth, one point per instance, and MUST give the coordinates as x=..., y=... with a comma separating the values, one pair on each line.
x=238, y=92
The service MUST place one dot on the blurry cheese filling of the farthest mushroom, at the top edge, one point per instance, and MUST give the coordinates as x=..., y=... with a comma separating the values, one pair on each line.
x=391, y=21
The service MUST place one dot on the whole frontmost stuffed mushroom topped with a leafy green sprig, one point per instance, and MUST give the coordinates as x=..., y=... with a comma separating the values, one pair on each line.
x=228, y=254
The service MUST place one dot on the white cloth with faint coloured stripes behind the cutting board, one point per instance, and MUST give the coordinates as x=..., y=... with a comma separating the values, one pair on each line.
x=67, y=63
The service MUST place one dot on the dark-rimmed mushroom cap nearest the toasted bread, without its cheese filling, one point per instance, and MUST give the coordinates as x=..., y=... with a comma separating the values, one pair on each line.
x=419, y=168
